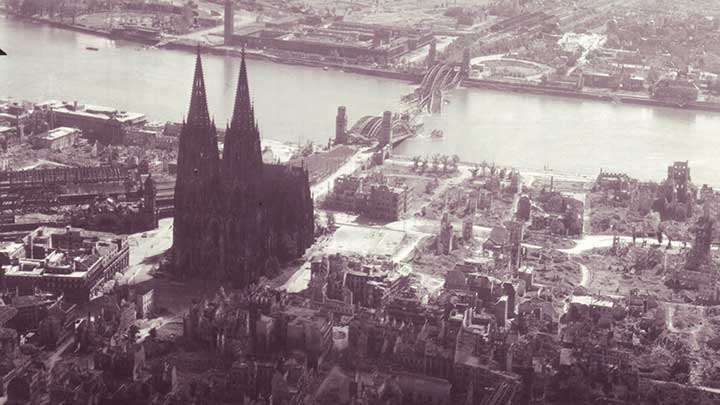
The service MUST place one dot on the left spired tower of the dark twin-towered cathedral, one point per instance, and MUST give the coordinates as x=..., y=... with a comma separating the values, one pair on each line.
x=197, y=228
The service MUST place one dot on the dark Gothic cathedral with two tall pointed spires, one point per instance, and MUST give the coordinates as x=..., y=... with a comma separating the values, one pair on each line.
x=236, y=218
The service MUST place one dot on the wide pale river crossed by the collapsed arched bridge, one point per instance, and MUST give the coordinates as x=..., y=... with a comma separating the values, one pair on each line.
x=299, y=103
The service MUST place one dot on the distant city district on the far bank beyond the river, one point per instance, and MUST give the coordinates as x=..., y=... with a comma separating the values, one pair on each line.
x=593, y=49
